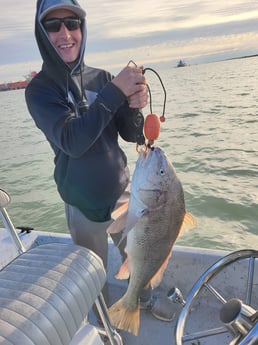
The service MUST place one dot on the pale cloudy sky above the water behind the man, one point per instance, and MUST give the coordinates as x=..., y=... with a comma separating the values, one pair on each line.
x=149, y=32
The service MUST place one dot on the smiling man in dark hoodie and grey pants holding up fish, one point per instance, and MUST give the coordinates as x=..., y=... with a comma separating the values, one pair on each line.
x=82, y=111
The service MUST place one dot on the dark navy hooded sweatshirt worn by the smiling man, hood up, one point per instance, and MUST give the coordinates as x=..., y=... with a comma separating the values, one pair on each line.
x=81, y=114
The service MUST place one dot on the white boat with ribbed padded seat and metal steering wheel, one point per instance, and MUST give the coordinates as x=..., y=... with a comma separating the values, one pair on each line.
x=48, y=286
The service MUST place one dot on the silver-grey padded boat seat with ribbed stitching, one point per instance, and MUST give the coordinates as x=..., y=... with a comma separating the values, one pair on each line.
x=47, y=292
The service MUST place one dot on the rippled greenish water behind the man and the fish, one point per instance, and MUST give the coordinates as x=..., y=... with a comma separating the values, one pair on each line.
x=210, y=135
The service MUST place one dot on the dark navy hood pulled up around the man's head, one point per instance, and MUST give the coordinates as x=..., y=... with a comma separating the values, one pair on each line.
x=53, y=64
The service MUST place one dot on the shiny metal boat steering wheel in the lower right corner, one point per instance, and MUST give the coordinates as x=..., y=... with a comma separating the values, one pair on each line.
x=236, y=270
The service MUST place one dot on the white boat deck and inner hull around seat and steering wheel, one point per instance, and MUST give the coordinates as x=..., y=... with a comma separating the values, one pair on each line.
x=185, y=267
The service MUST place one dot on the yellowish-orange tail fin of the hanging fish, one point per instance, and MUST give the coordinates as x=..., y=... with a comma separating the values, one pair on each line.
x=123, y=318
